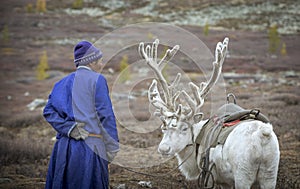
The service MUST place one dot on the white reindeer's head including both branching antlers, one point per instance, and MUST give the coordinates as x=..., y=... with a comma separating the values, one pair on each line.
x=178, y=120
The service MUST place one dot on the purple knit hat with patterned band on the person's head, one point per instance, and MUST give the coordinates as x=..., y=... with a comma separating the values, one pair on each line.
x=85, y=53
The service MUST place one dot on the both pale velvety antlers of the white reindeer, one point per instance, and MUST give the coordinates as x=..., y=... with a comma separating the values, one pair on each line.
x=167, y=107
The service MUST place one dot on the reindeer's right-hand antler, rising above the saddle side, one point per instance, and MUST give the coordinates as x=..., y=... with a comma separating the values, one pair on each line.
x=201, y=91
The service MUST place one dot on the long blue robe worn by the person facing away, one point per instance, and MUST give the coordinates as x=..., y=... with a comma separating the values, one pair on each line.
x=82, y=96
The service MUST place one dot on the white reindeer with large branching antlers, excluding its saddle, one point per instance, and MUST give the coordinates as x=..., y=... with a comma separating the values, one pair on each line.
x=250, y=153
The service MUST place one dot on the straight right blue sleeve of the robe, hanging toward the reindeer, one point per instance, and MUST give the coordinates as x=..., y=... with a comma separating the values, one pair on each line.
x=106, y=115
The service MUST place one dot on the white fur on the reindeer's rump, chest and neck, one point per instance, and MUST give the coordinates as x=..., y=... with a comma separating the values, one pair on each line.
x=250, y=153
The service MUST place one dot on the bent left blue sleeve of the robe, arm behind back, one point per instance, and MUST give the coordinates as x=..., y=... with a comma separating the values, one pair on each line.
x=58, y=119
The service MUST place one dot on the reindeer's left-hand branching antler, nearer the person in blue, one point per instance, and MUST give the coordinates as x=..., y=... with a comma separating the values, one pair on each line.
x=150, y=55
